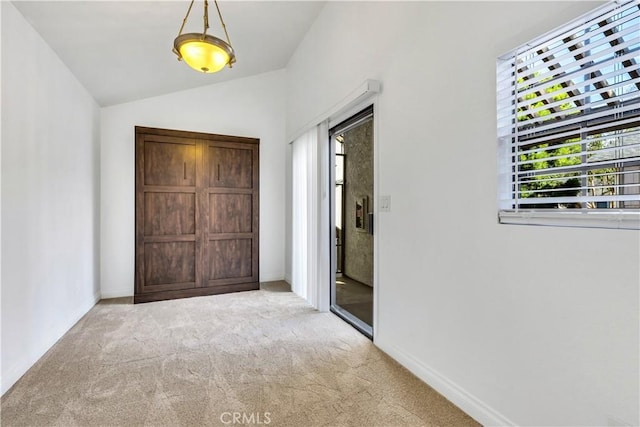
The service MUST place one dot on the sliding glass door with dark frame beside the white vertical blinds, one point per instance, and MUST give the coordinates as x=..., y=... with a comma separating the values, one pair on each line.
x=352, y=212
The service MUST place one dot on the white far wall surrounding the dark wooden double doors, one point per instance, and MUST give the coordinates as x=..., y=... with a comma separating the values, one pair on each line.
x=251, y=107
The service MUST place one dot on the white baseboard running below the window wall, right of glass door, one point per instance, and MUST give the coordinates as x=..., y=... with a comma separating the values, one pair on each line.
x=472, y=406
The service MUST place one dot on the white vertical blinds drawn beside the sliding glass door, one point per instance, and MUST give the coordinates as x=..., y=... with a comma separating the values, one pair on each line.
x=310, y=211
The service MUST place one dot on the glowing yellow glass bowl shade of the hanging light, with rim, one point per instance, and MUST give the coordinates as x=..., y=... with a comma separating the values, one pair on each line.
x=206, y=54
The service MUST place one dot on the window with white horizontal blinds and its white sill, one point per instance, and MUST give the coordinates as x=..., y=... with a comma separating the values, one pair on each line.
x=569, y=123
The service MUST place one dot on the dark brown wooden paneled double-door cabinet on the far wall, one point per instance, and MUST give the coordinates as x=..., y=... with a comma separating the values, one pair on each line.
x=197, y=211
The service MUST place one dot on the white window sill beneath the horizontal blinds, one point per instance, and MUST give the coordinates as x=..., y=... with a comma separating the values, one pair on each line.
x=623, y=220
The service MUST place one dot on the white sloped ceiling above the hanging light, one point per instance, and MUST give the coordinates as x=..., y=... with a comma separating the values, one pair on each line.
x=121, y=50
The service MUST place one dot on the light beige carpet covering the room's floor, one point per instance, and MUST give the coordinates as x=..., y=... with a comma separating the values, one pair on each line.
x=263, y=357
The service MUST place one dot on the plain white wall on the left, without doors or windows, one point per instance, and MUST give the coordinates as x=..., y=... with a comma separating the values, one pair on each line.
x=50, y=196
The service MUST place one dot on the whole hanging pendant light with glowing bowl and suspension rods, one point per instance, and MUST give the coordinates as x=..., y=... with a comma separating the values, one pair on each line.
x=204, y=52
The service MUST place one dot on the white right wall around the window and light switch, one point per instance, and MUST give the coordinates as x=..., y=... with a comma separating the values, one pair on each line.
x=515, y=324
